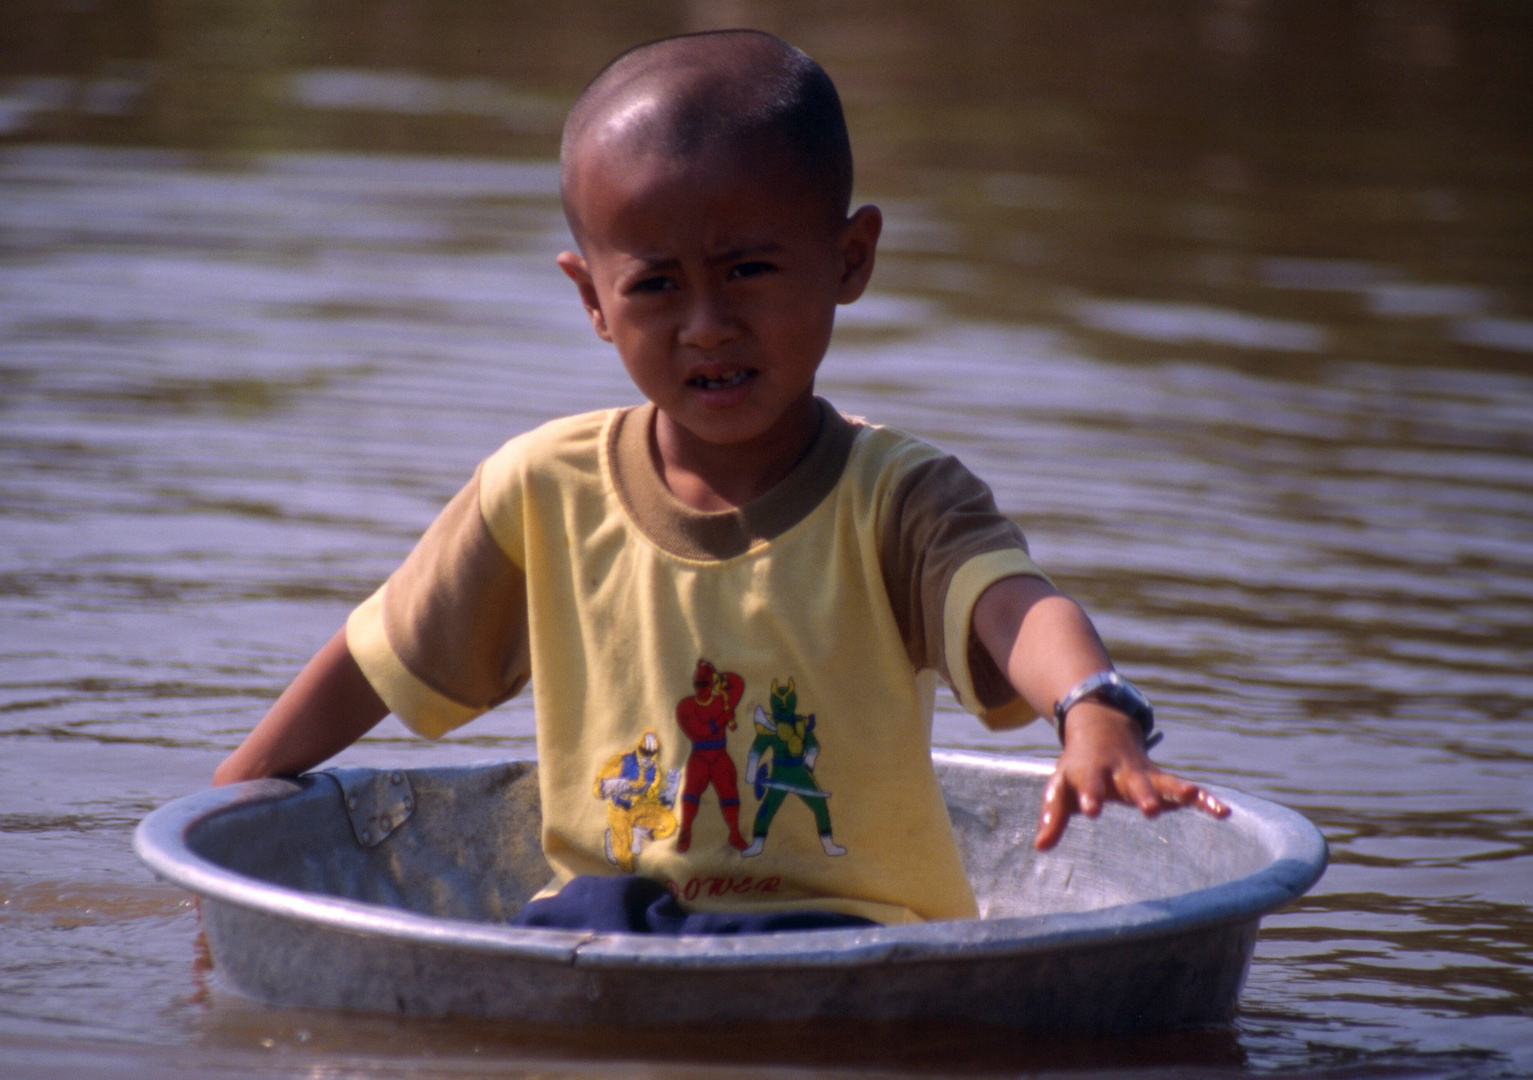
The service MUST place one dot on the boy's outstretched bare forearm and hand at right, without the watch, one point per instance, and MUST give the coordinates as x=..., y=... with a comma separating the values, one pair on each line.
x=1046, y=646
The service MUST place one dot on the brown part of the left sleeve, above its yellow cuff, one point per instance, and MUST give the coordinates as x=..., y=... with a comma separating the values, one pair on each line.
x=456, y=612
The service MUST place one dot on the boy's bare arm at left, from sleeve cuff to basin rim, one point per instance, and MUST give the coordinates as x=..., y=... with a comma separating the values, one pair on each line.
x=327, y=709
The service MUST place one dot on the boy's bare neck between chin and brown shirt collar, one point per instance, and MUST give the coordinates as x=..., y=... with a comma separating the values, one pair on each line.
x=712, y=477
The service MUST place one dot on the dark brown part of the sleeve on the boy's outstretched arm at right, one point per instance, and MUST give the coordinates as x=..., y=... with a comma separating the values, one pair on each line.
x=940, y=517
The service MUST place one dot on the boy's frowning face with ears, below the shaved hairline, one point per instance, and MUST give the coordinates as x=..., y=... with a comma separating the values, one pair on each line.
x=717, y=280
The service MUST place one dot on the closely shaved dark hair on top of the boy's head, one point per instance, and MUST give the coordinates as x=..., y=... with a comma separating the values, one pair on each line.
x=741, y=91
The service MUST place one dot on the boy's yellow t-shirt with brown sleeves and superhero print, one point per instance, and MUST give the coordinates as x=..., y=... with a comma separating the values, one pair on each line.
x=853, y=583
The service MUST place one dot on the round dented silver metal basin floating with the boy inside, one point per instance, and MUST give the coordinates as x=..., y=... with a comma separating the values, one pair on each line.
x=386, y=891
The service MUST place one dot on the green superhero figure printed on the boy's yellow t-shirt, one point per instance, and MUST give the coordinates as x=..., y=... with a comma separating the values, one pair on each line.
x=789, y=741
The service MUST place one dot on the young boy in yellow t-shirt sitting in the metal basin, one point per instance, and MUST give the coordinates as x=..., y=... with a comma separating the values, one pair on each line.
x=734, y=603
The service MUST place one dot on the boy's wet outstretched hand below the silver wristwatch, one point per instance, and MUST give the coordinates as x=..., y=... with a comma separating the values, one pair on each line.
x=1105, y=759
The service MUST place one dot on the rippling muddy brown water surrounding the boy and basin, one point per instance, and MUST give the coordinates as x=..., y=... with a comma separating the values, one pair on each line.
x=1230, y=303
